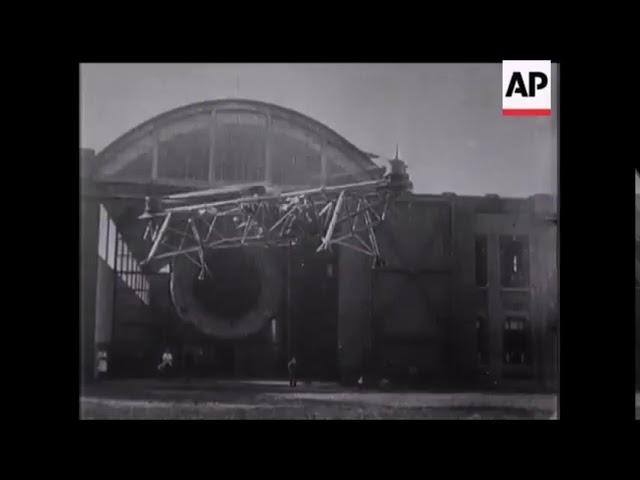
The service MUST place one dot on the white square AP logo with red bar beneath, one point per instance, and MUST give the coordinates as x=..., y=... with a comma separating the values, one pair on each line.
x=526, y=87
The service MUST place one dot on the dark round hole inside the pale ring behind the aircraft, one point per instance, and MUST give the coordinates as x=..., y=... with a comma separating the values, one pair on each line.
x=231, y=288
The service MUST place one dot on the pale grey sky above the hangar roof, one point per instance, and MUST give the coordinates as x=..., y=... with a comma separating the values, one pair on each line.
x=446, y=118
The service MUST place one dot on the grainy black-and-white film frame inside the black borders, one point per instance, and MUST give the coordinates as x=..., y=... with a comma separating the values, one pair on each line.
x=317, y=241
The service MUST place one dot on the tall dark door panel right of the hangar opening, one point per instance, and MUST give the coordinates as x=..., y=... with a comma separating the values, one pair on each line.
x=412, y=293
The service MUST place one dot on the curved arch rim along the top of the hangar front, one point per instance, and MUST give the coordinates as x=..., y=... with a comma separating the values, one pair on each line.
x=123, y=150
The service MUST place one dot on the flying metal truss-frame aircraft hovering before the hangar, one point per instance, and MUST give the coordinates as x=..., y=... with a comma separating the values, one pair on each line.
x=344, y=215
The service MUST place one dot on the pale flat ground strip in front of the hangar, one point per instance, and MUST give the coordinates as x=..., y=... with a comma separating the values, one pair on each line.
x=218, y=399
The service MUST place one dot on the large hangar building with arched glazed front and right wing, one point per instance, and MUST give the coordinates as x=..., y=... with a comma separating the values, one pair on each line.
x=468, y=292
